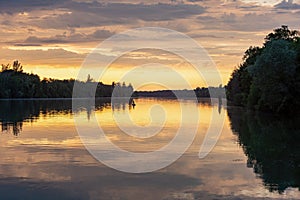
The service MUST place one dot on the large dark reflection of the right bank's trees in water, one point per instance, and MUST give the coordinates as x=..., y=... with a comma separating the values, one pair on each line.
x=272, y=147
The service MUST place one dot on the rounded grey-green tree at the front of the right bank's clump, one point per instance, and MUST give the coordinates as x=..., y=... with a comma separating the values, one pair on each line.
x=274, y=74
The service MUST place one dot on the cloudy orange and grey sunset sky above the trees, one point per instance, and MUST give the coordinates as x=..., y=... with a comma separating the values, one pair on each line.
x=54, y=38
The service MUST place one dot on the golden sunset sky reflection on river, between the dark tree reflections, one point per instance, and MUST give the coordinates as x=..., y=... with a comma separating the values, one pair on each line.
x=49, y=150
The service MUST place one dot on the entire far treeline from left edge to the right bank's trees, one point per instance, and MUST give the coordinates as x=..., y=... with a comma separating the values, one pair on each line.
x=14, y=83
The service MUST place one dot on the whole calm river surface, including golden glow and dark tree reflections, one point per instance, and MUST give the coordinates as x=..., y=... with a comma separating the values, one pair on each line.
x=42, y=157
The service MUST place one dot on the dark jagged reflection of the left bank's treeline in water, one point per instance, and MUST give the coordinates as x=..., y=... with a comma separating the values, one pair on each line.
x=14, y=112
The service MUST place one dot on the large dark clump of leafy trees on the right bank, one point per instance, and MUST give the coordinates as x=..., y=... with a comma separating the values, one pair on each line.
x=269, y=77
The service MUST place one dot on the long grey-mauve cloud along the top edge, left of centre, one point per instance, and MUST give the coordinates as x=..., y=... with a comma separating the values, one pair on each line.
x=86, y=15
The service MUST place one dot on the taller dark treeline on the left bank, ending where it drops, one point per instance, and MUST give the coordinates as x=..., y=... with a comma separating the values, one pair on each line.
x=14, y=83
